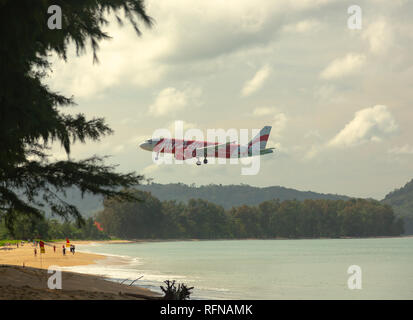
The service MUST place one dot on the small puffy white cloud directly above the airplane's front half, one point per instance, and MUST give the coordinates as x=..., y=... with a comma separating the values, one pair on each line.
x=171, y=100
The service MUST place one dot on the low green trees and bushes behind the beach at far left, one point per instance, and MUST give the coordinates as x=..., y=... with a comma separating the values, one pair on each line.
x=29, y=227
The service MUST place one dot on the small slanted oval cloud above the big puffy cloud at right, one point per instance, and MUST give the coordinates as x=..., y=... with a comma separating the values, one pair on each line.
x=343, y=66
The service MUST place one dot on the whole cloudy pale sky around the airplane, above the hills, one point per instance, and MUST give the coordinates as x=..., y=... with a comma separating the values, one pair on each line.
x=338, y=98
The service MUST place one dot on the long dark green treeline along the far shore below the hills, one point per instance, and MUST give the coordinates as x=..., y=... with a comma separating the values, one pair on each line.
x=151, y=218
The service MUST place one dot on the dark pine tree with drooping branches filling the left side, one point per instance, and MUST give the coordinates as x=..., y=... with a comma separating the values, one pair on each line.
x=31, y=116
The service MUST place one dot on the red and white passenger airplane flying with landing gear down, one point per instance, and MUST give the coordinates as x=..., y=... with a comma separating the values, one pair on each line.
x=188, y=149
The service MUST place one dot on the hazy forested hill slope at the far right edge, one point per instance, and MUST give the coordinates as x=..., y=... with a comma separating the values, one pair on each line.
x=401, y=201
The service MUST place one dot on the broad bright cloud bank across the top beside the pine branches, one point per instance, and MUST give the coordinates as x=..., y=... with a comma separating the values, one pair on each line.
x=183, y=33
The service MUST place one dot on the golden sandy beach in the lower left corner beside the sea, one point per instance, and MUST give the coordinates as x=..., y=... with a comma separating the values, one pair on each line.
x=23, y=276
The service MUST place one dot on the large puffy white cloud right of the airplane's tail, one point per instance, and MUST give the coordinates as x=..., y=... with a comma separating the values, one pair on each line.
x=370, y=124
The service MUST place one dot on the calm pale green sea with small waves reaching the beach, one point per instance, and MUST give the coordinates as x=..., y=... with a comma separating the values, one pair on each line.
x=373, y=268
